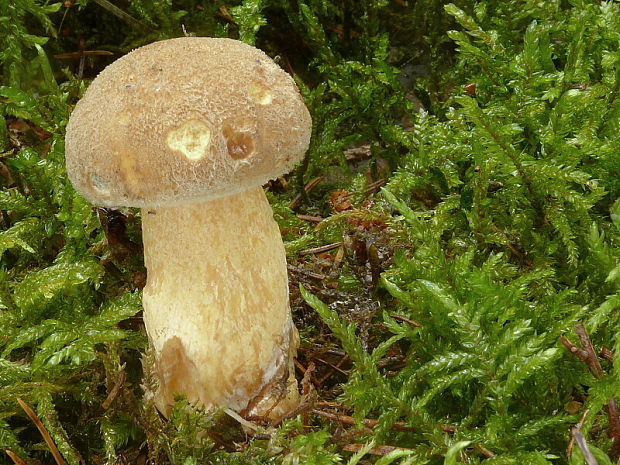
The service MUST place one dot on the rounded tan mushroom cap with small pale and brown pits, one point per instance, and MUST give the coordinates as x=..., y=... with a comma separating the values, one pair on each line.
x=185, y=120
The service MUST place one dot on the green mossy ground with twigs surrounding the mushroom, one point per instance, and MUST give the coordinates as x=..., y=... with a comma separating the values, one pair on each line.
x=452, y=235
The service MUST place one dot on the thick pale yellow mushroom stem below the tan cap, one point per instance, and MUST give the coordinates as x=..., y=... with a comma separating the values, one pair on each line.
x=216, y=305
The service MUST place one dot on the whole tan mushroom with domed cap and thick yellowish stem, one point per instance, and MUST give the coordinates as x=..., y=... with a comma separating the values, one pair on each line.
x=189, y=129
